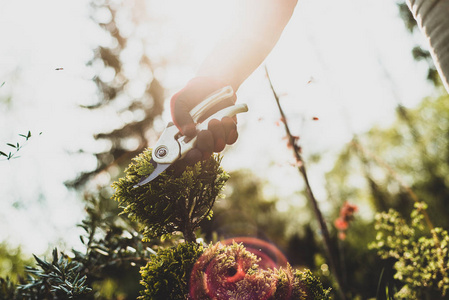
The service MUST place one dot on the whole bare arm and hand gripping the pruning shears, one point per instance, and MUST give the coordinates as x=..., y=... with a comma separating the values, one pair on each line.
x=253, y=35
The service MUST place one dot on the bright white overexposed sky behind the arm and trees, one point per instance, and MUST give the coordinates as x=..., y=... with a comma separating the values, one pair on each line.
x=355, y=53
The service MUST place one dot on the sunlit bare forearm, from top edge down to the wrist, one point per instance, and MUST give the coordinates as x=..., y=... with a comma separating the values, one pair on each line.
x=255, y=33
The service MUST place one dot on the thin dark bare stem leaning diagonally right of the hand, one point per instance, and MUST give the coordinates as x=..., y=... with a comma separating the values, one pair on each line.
x=311, y=197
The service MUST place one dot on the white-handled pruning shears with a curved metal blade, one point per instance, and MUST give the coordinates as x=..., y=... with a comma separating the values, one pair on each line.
x=172, y=145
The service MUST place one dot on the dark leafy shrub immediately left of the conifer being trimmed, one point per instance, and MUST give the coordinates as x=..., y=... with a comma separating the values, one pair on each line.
x=114, y=250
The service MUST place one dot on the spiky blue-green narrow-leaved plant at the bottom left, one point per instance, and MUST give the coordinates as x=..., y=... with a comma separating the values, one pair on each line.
x=58, y=279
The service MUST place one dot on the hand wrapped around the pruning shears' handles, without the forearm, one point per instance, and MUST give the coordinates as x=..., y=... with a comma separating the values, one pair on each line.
x=219, y=133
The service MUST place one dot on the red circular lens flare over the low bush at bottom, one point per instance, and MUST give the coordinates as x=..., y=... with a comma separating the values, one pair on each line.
x=239, y=268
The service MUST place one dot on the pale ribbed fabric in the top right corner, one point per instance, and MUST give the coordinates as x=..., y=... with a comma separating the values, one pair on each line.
x=432, y=17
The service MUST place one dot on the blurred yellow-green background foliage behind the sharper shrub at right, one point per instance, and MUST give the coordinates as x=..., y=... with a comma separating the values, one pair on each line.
x=387, y=168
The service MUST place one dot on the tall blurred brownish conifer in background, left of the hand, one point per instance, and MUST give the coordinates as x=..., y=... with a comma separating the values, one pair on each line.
x=126, y=83
